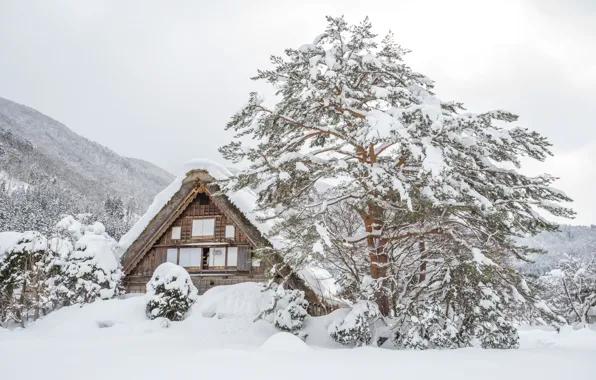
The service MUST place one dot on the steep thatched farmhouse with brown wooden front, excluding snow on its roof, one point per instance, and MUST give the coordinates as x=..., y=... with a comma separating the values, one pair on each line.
x=194, y=230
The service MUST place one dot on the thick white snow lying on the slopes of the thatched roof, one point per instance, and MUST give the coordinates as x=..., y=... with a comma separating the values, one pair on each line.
x=244, y=199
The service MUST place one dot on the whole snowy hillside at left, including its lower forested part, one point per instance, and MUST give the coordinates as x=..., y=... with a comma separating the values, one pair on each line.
x=47, y=170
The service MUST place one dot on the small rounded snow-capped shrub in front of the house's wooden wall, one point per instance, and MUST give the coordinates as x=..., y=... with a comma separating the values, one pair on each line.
x=170, y=293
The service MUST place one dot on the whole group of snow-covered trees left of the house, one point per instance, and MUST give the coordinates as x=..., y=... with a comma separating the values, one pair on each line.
x=76, y=264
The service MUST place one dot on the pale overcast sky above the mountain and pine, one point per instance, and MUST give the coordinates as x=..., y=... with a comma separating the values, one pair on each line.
x=159, y=82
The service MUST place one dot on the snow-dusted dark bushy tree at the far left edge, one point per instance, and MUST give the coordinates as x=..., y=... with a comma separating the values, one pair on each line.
x=24, y=274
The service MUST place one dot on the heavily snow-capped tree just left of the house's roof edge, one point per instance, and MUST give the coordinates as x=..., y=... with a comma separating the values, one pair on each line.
x=91, y=270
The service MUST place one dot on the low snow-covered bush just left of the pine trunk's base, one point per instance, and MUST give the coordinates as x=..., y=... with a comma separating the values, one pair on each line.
x=355, y=328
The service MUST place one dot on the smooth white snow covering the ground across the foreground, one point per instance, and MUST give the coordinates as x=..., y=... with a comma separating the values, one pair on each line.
x=113, y=340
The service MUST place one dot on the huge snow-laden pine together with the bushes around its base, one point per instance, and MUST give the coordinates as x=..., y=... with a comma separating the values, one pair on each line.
x=414, y=204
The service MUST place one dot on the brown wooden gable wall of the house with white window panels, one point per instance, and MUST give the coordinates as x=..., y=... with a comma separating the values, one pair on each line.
x=220, y=253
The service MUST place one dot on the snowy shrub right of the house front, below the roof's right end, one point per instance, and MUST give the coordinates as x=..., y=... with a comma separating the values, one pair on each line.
x=287, y=310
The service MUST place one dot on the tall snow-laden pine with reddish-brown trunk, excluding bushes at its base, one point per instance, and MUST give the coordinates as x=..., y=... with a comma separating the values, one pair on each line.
x=354, y=125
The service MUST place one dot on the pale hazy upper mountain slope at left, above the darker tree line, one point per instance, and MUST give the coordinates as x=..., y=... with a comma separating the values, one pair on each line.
x=33, y=144
